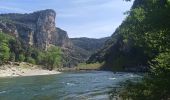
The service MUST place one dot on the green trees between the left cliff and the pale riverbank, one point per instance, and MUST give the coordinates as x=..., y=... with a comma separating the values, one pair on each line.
x=11, y=49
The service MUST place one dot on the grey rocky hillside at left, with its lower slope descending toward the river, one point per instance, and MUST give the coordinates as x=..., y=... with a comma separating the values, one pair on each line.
x=38, y=30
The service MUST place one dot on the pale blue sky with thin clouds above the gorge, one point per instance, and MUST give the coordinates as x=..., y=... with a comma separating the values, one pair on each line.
x=80, y=18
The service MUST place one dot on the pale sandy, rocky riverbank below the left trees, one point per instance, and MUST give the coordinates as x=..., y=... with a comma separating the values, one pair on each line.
x=13, y=69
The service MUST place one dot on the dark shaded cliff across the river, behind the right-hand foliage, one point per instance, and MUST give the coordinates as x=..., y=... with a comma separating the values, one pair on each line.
x=120, y=56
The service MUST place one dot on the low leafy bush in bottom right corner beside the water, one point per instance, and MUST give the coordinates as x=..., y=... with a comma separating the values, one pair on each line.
x=155, y=86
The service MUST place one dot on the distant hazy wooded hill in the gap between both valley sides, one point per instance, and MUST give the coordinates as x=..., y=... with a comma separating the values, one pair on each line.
x=90, y=45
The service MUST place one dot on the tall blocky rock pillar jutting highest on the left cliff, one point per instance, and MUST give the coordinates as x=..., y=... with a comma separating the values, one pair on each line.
x=45, y=28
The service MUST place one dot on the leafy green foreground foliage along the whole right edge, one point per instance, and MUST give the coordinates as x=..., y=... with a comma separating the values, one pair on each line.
x=147, y=26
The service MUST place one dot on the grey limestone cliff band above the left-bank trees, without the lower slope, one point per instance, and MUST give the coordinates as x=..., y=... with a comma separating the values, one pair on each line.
x=35, y=29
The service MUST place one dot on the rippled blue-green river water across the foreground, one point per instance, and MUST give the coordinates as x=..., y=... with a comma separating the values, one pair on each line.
x=94, y=85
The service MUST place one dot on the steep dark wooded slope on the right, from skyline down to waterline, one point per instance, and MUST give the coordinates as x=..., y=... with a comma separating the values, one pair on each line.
x=139, y=39
